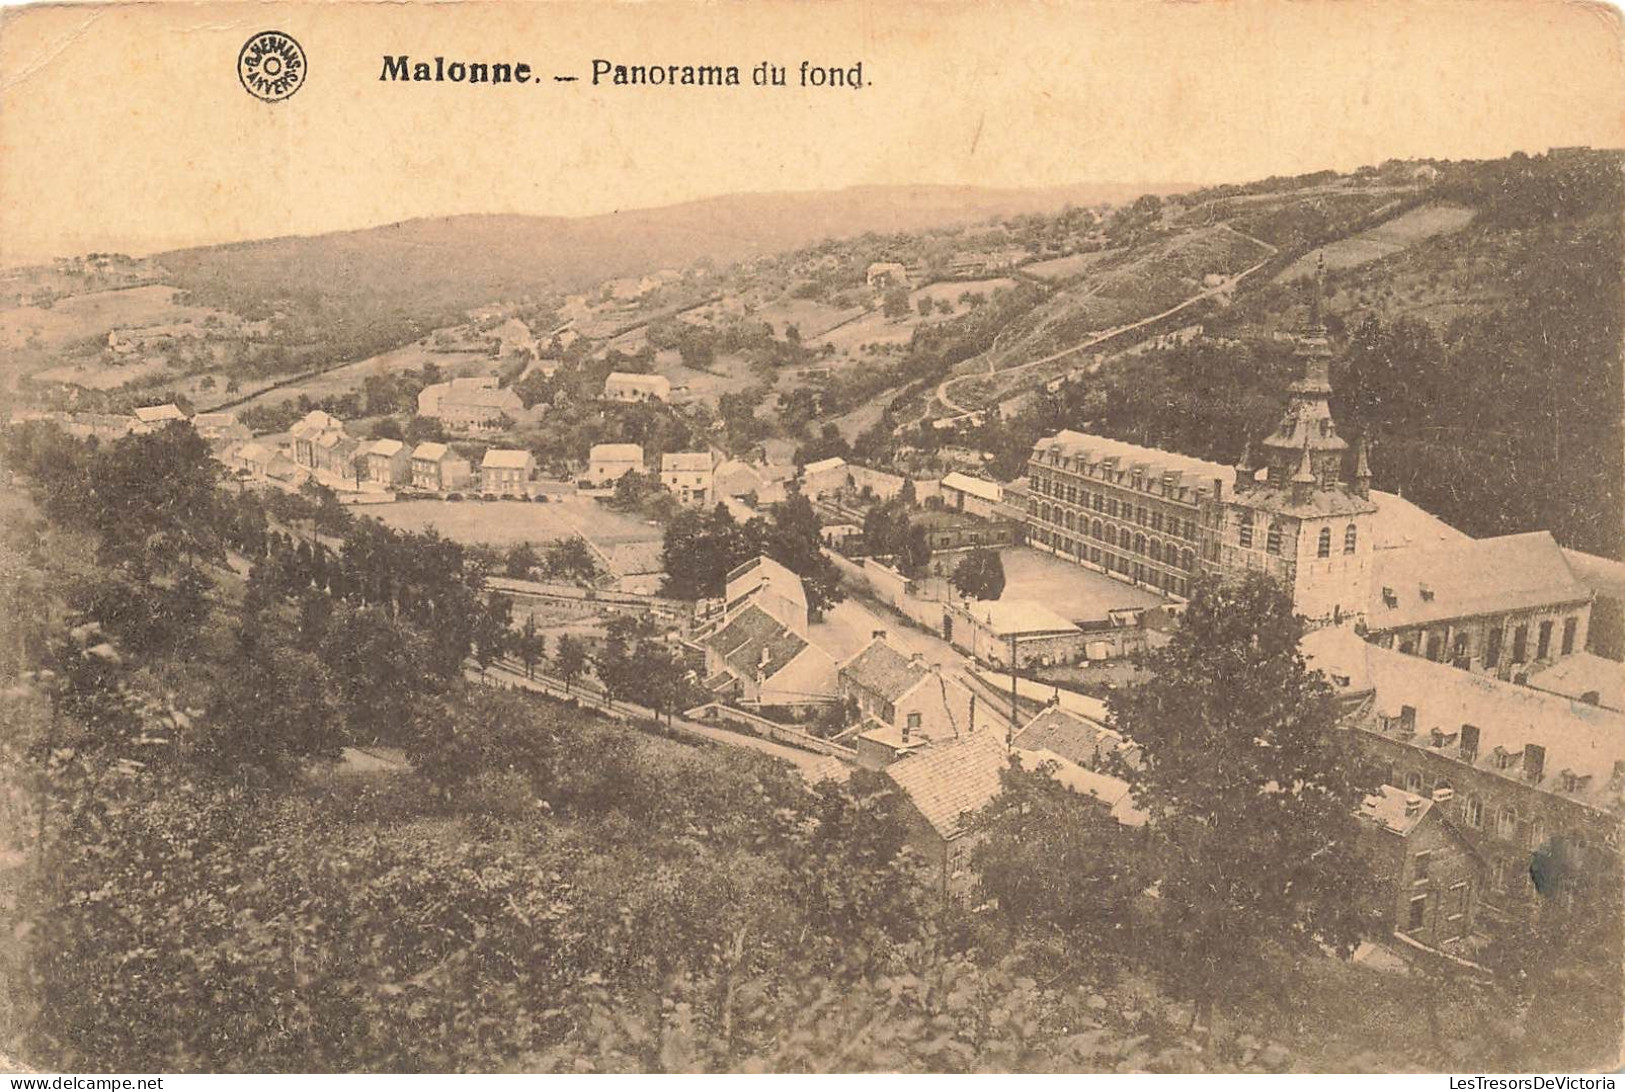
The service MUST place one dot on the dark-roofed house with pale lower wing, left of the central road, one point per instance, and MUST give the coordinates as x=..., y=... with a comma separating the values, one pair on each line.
x=758, y=661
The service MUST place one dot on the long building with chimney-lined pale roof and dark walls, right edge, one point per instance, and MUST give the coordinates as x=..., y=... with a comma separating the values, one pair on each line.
x=1527, y=773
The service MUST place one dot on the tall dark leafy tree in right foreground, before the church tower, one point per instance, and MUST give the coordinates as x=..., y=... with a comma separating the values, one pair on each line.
x=1252, y=792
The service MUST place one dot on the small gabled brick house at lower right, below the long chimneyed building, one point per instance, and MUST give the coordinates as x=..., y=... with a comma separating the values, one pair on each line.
x=1428, y=875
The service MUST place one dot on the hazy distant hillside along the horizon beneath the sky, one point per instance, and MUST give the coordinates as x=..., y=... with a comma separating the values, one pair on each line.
x=415, y=275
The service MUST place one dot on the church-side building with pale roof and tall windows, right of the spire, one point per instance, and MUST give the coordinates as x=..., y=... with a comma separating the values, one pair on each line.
x=1493, y=605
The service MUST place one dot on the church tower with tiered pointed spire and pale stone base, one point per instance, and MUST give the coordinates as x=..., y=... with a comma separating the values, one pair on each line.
x=1309, y=521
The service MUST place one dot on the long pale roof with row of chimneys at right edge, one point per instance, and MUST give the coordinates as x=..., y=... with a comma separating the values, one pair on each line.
x=1582, y=740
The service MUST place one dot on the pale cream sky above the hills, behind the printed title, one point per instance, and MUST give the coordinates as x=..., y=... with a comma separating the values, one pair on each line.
x=124, y=128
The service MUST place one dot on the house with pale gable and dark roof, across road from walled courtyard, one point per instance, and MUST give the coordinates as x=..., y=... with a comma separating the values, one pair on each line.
x=904, y=704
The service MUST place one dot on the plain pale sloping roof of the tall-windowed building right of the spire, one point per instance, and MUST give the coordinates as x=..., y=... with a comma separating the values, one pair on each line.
x=1486, y=576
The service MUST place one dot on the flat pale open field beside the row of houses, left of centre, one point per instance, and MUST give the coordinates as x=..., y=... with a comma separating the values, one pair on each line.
x=508, y=522
